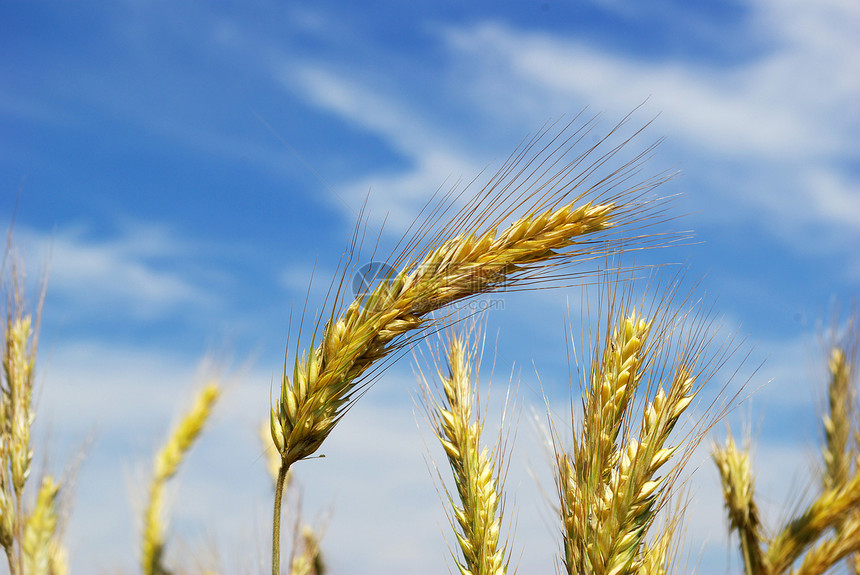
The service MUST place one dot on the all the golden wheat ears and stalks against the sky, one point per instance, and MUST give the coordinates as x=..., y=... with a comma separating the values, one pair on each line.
x=562, y=212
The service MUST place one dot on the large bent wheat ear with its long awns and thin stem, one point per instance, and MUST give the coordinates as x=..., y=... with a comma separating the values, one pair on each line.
x=549, y=208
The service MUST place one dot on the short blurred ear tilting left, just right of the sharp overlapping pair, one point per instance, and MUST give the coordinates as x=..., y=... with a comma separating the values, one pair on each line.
x=738, y=484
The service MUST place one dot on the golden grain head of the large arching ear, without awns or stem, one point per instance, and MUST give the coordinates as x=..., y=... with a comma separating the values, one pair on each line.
x=324, y=381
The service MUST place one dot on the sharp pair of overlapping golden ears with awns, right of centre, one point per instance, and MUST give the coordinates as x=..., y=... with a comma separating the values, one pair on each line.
x=622, y=467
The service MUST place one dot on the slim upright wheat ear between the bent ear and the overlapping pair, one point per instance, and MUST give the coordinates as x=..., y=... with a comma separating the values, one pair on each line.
x=477, y=470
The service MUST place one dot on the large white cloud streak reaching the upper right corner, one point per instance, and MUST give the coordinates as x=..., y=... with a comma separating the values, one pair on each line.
x=779, y=125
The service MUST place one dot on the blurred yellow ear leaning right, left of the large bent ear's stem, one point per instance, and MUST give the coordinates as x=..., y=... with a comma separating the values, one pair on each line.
x=166, y=464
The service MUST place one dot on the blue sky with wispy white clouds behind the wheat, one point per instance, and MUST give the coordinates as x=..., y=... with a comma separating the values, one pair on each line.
x=184, y=167
